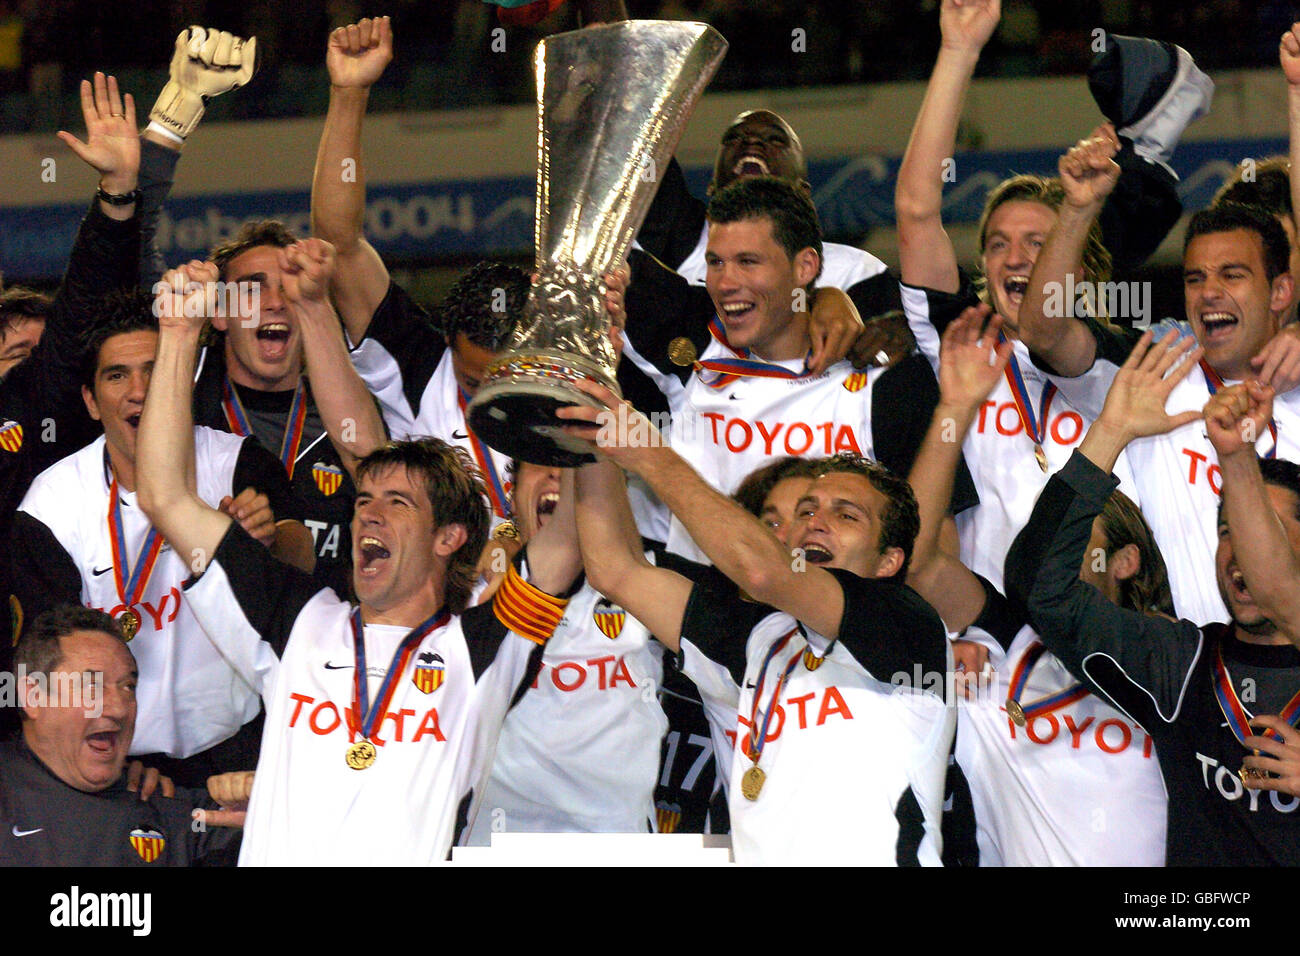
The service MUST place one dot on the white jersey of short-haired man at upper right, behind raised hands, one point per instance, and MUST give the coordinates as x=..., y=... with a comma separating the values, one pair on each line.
x=1178, y=482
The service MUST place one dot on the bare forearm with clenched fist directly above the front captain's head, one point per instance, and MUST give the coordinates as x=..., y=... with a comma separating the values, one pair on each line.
x=348, y=410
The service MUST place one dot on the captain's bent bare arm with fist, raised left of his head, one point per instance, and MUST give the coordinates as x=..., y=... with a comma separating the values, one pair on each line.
x=166, y=444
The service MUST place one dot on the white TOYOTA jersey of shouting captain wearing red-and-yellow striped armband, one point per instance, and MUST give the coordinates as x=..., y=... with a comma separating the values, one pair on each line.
x=434, y=746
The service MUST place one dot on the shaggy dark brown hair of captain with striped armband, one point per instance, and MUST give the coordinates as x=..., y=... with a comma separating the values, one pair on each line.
x=457, y=495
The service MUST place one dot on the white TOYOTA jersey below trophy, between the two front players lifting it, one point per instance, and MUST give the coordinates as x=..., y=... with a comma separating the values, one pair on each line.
x=580, y=750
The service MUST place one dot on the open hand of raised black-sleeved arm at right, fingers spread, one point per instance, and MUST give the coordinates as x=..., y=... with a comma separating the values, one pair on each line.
x=1136, y=405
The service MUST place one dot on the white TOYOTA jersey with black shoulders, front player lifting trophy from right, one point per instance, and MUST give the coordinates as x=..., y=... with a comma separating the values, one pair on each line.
x=855, y=765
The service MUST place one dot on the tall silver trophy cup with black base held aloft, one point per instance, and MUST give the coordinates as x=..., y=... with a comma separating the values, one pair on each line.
x=612, y=105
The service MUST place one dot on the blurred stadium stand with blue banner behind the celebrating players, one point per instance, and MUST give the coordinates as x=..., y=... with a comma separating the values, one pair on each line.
x=450, y=129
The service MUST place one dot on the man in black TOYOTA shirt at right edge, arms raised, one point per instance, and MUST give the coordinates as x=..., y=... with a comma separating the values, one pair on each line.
x=1198, y=681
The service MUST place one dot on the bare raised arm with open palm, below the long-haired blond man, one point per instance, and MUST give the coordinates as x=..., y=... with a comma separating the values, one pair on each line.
x=970, y=365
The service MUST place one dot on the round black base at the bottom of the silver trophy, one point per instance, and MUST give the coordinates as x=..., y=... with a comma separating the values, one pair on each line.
x=518, y=418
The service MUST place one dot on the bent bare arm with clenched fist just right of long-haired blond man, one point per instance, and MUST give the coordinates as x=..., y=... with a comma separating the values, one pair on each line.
x=1047, y=323
